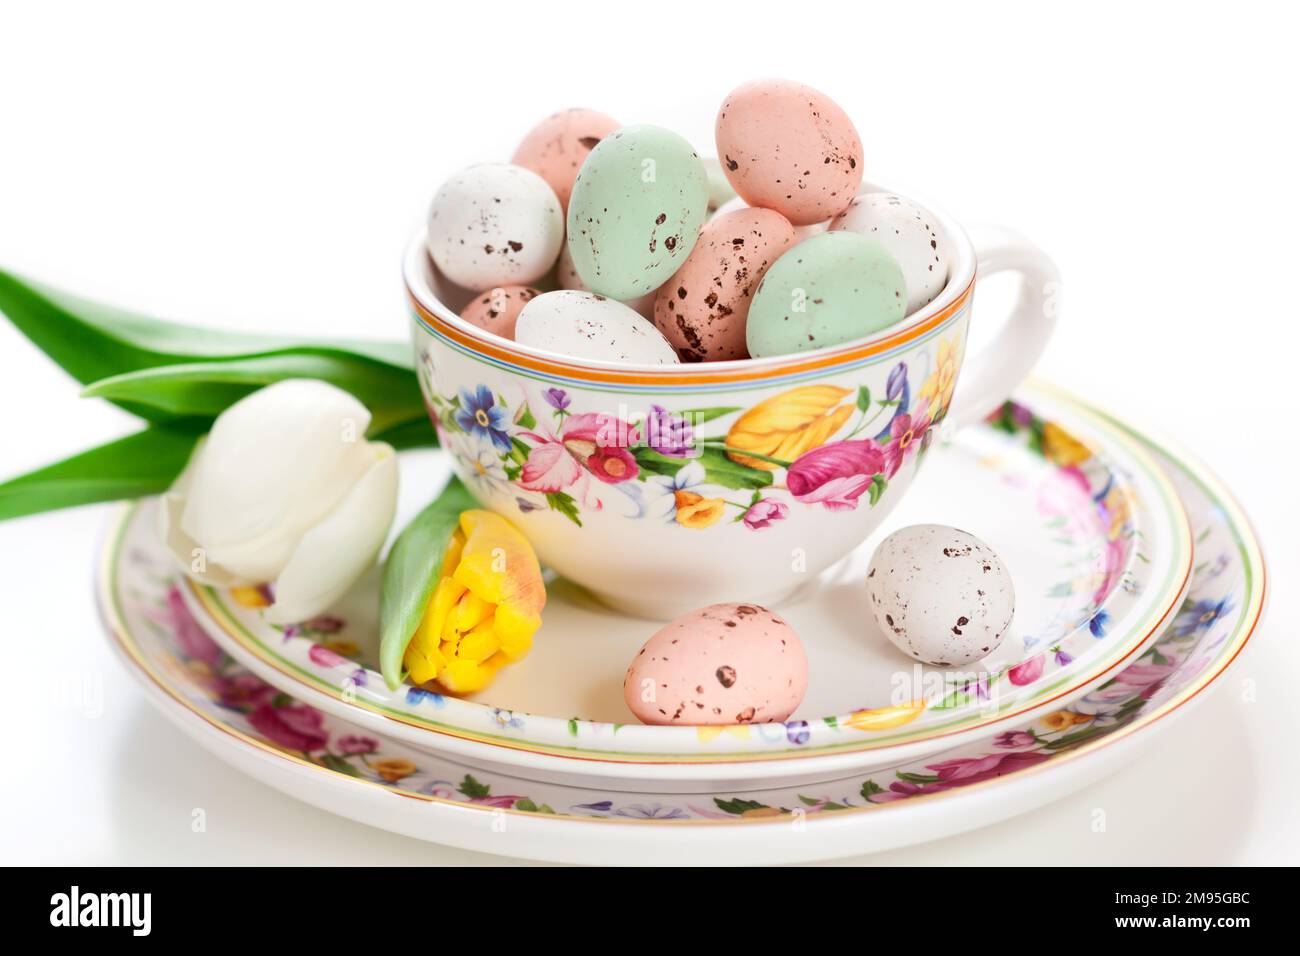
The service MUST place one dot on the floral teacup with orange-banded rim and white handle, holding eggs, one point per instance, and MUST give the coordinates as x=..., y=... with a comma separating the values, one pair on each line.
x=666, y=488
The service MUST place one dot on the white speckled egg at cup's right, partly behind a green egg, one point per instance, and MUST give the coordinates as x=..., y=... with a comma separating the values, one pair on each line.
x=909, y=233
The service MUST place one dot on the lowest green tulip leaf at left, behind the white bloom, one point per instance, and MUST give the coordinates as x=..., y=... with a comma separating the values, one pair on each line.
x=138, y=465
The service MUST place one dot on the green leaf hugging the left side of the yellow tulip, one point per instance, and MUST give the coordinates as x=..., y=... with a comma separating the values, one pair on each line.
x=411, y=573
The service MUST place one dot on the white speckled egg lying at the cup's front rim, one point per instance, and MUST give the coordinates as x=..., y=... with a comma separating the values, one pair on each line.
x=587, y=326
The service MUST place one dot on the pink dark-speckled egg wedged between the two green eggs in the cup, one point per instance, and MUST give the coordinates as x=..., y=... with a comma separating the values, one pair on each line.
x=703, y=309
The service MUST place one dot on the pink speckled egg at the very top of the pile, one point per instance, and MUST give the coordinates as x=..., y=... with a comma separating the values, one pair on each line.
x=788, y=148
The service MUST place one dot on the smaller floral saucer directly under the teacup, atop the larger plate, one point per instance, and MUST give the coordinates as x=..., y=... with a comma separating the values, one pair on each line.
x=1093, y=531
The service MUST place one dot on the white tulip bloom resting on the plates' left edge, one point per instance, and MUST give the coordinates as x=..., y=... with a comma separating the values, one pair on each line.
x=287, y=491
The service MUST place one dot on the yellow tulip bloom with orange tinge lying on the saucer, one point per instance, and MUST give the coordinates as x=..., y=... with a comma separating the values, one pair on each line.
x=484, y=611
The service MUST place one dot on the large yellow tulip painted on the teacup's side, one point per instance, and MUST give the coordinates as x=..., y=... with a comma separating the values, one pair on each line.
x=788, y=425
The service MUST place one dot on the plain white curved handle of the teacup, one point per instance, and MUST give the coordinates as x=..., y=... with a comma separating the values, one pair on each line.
x=989, y=379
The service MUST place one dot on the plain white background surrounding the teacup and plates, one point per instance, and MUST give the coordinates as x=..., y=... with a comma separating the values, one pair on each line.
x=261, y=167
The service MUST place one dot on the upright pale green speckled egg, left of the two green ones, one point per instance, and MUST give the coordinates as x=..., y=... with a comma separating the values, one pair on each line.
x=636, y=210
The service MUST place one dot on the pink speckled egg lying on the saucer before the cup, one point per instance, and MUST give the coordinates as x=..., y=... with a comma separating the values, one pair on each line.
x=721, y=665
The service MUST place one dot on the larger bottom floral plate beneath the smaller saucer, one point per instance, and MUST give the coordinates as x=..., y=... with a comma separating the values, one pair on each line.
x=380, y=781
